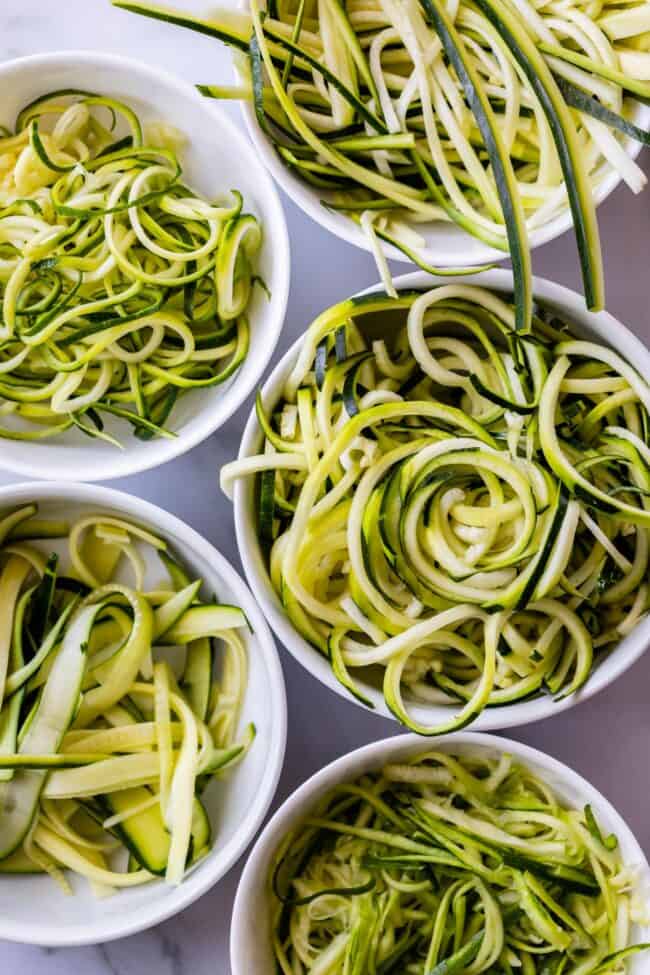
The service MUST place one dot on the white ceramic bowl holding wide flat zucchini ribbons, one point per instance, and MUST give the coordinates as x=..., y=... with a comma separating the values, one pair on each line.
x=32, y=908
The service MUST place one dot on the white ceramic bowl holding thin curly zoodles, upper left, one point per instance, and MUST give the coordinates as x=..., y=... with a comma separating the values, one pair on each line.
x=217, y=157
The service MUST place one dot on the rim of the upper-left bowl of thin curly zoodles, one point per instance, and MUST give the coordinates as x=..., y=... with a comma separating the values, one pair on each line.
x=212, y=415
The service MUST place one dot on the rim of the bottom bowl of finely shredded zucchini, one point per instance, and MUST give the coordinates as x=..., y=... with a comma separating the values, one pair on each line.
x=373, y=755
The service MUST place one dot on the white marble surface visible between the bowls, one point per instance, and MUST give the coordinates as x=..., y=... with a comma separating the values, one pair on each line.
x=606, y=739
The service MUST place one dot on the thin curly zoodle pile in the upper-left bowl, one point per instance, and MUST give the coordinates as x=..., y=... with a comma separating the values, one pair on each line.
x=121, y=289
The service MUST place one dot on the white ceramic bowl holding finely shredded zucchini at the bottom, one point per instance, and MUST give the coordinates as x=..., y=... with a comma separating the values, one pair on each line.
x=250, y=934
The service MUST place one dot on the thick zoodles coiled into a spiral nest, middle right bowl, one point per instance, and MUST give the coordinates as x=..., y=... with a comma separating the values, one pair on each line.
x=453, y=504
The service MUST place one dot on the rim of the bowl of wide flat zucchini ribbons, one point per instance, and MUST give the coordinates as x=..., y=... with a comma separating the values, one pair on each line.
x=197, y=883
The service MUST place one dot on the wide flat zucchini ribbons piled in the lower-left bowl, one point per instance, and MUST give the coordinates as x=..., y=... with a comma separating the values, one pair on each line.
x=119, y=703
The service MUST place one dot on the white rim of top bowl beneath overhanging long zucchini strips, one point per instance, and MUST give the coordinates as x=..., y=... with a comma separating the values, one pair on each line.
x=341, y=226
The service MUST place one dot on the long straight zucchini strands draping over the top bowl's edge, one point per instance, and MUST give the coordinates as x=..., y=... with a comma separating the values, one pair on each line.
x=493, y=114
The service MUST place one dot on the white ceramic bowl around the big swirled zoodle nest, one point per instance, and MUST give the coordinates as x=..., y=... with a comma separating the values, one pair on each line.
x=604, y=328
